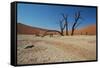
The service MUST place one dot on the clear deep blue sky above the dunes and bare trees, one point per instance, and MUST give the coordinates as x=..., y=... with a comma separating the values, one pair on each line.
x=48, y=16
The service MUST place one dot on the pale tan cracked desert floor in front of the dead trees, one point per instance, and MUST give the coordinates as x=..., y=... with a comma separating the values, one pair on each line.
x=55, y=49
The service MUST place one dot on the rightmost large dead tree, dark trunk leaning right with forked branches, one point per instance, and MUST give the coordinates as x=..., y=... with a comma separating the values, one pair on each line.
x=77, y=16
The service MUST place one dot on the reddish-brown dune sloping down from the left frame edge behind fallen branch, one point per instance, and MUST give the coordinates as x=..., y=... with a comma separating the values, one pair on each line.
x=29, y=30
